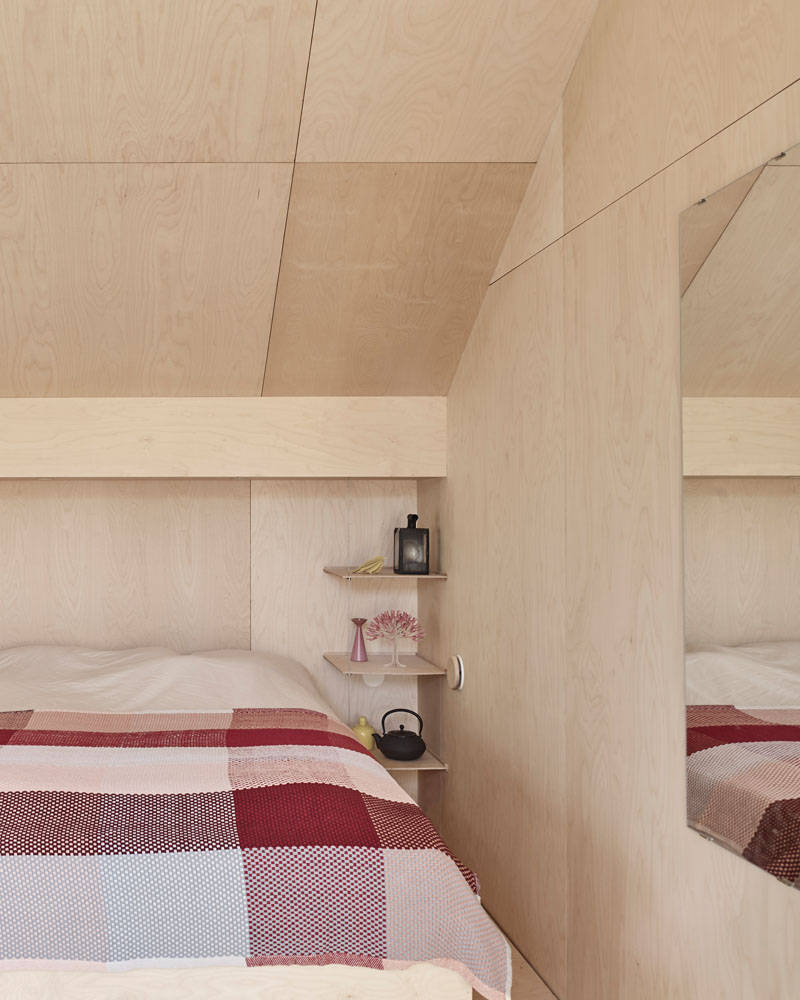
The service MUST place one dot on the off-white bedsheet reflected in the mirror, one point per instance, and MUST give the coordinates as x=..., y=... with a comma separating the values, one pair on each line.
x=758, y=675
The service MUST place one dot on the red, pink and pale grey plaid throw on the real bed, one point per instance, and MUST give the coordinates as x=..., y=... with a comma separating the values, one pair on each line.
x=243, y=837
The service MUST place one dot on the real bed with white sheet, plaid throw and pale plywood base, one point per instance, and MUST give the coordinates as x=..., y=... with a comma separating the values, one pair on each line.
x=203, y=825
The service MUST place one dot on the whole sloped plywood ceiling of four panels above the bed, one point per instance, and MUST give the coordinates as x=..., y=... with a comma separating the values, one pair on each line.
x=230, y=197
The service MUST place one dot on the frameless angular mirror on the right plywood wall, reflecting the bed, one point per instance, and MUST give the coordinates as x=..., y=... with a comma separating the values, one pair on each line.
x=740, y=345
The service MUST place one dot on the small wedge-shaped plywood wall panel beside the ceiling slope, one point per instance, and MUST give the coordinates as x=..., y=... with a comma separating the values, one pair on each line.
x=540, y=219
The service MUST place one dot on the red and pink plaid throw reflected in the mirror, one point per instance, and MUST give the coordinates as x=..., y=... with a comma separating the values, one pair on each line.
x=743, y=772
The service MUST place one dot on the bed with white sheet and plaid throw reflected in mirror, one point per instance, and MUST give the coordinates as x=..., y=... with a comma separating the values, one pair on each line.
x=743, y=751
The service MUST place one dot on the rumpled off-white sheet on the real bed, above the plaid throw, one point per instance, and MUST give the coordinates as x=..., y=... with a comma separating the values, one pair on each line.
x=71, y=678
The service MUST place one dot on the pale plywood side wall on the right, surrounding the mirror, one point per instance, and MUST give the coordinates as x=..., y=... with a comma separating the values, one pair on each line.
x=666, y=104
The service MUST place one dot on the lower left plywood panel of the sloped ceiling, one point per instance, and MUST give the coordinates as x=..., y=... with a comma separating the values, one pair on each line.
x=138, y=280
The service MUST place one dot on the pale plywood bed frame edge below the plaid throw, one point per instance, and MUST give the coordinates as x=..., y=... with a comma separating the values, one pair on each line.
x=331, y=982
